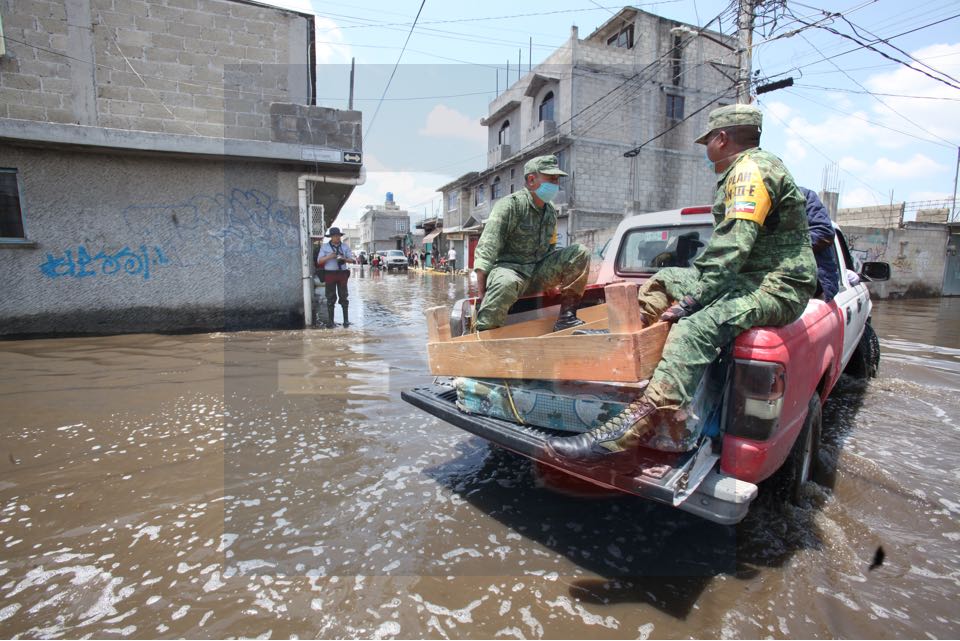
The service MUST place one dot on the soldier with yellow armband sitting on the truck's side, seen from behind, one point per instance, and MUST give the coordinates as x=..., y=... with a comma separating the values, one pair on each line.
x=757, y=269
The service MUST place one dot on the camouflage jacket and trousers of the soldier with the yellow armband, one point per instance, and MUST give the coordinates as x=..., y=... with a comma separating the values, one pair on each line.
x=758, y=269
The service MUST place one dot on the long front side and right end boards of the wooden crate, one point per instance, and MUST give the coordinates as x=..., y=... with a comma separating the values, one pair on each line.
x=599, y=357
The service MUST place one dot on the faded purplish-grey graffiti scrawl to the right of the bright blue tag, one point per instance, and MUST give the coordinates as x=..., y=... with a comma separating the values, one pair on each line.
x=205, y=229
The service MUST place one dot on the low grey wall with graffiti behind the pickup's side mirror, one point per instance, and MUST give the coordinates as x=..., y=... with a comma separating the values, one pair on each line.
x=917, y=258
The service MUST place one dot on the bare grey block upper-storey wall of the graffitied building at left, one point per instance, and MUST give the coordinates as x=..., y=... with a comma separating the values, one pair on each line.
x=194, y=67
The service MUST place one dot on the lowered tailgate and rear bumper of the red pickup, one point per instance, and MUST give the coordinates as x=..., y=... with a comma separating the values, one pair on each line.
x=673, y=479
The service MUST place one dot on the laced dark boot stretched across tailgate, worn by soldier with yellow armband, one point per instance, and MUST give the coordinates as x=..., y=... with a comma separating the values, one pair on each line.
x=616, y=435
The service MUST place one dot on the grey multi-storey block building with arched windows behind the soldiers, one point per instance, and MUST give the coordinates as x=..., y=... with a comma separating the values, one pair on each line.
x=621, y=109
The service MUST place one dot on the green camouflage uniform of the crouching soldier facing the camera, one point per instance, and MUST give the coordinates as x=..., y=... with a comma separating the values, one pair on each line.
x=517, y=251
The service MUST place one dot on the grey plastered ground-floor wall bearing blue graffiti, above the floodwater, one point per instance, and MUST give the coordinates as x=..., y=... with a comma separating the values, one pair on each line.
x=150, y=245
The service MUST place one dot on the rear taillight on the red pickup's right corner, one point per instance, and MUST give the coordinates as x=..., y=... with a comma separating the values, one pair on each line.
x=756, y=398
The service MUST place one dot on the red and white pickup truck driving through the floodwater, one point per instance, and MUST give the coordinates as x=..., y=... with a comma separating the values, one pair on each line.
x=759, y=402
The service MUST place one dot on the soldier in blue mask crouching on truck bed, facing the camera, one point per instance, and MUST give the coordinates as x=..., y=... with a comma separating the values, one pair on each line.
x=517, y=253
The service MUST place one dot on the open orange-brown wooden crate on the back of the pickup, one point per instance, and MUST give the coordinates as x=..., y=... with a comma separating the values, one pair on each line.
x=531, y=349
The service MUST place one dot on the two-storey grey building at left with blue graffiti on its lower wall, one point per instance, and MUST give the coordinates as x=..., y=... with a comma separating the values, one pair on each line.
x=158, y=161
